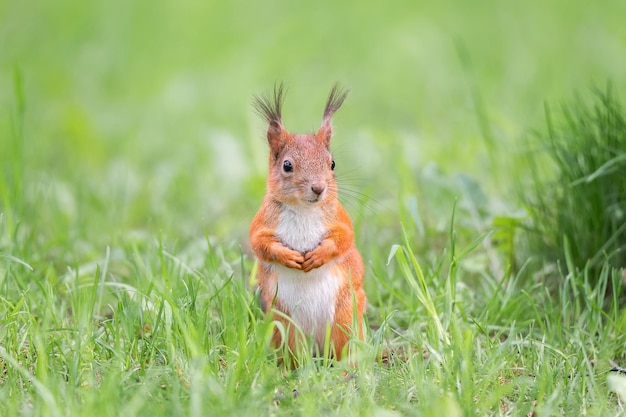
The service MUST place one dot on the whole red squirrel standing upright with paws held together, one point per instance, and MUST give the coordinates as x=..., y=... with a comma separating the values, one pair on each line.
x=309, y=268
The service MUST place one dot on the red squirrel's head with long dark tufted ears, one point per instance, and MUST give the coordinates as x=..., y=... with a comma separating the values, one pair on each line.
x=301, y=166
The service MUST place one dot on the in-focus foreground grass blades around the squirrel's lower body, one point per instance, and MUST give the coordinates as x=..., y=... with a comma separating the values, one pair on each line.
x=149, y=330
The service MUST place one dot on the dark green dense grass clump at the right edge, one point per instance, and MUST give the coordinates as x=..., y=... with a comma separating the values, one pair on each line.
x=577, y=197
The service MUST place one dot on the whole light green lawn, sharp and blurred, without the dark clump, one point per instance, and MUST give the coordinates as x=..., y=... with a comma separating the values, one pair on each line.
x=131, y=163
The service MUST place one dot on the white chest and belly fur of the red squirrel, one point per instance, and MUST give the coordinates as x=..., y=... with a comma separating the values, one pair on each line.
x=310, y=297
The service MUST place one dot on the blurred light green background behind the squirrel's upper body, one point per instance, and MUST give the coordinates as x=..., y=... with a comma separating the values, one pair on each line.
x=137, y=119
